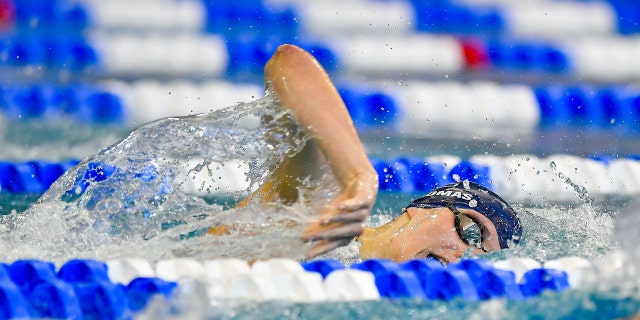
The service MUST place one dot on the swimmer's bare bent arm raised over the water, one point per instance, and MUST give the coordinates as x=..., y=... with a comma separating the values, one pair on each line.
x=303, y=87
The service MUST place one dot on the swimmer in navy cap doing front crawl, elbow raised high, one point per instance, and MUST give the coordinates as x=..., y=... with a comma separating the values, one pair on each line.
x=444, y=224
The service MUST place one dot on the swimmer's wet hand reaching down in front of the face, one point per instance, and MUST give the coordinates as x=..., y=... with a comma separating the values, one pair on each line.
x=343, y=219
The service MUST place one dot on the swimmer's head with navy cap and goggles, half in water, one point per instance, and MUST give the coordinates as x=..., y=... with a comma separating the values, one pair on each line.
x=440, y=225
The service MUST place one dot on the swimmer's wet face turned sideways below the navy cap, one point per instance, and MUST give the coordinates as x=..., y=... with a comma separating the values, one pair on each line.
x=428, y=233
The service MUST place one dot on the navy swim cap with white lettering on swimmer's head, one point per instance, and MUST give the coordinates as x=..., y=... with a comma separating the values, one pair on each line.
x=470, y=195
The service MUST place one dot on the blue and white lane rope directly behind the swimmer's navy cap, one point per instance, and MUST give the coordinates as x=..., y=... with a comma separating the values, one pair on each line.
x=400, y=175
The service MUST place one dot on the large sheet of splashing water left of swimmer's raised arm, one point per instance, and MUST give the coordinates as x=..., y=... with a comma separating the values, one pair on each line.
x=130, y=198
